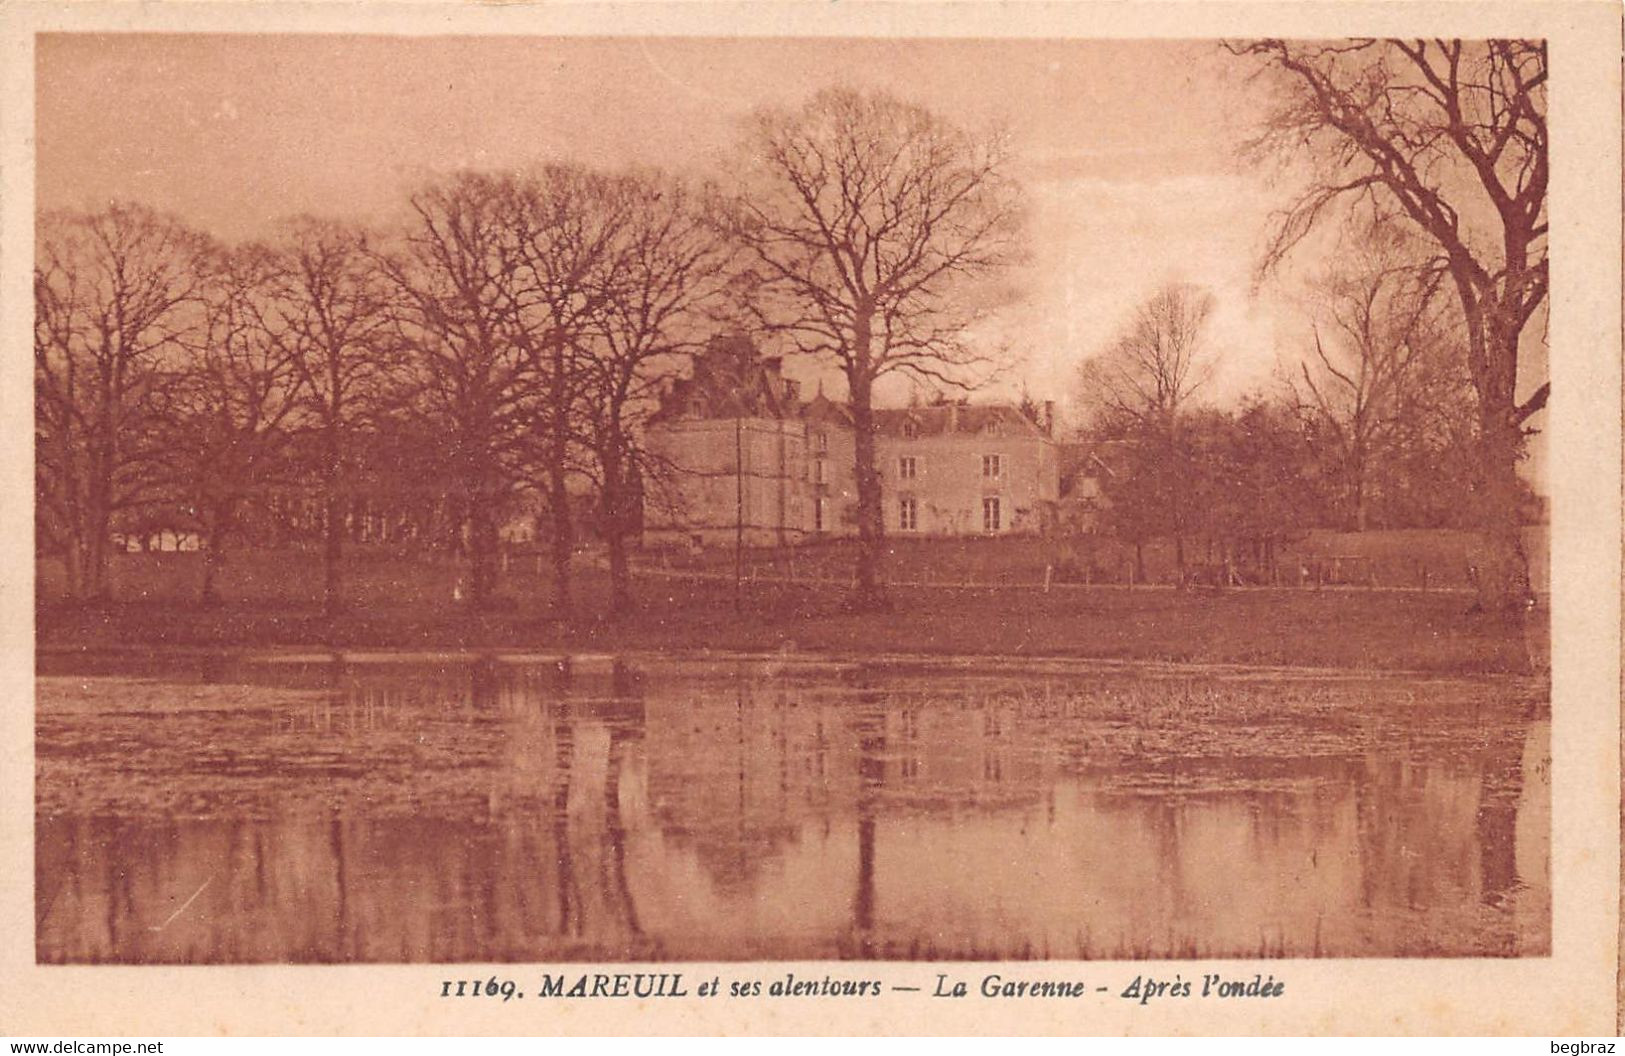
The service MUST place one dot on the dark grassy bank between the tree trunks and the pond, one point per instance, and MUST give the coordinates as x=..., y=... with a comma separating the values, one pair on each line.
x=272, y=602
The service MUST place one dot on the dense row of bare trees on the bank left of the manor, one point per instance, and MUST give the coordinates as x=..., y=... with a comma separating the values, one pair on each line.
x=505, y=339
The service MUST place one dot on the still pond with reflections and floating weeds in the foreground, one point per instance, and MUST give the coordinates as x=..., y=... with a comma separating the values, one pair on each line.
x=422, y=808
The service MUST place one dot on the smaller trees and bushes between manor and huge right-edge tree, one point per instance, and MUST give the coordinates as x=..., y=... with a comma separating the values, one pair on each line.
x=1371, y=425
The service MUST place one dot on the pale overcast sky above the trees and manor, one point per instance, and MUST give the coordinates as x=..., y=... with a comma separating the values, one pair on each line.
x=1127, y=149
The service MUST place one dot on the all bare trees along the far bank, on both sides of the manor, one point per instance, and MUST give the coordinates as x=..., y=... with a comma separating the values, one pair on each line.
x=508, y=335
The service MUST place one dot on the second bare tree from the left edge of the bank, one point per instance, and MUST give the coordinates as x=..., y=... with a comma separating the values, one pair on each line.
x=227, y=423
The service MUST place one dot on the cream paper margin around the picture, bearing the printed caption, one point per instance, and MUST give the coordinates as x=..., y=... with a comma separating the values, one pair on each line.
x=1571, y=993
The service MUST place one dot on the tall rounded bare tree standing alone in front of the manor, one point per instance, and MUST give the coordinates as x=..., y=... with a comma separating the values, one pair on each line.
x=869, y=222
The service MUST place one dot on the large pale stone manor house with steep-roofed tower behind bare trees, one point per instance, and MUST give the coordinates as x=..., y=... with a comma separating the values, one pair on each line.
x=742, y=454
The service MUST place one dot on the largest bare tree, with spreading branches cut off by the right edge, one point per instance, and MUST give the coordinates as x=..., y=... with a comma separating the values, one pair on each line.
x=1450, y=136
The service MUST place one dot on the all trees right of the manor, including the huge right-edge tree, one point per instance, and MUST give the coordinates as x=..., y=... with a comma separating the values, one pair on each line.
x=1424, y=167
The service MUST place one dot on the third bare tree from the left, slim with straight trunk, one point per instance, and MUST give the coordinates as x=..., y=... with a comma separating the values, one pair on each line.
x=331, y=314
